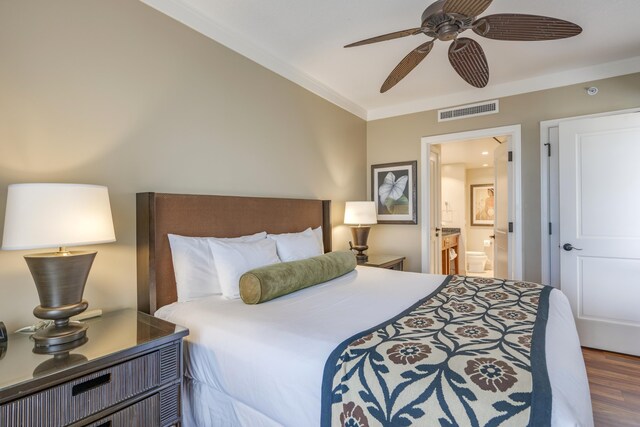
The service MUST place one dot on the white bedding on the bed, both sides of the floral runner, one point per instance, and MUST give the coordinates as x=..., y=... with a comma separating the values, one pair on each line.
x=262, y=365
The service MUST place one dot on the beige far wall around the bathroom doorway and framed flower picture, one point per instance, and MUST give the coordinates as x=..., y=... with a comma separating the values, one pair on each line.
x=398, y=139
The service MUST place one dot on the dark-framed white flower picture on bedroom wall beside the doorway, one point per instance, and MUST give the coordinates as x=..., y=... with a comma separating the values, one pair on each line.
x=394, y=189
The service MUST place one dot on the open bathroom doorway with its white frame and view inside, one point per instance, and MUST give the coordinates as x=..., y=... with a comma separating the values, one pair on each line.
x=471, y=216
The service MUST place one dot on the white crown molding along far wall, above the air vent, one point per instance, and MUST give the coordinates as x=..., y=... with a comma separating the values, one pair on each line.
x=547, y=81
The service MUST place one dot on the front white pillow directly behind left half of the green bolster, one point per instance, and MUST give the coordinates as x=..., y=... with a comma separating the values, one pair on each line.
x=233, y=259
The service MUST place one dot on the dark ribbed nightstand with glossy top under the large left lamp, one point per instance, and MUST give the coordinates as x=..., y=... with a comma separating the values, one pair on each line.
x=129, y=372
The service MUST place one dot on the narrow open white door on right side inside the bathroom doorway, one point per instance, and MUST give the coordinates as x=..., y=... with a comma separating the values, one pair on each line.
x=501, y=212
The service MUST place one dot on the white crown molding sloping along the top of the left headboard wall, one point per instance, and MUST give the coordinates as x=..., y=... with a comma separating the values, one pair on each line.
x=196, y=20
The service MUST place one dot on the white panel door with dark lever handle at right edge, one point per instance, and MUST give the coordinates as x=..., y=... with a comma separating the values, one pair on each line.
x=600, y=229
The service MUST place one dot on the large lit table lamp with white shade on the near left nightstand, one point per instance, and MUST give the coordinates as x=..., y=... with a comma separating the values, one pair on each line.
x=58, y=215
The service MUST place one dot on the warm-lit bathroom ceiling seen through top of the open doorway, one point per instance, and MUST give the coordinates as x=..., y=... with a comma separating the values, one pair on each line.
x=469, y=152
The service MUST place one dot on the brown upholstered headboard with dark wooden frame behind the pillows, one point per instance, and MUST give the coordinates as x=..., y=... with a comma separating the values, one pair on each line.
x=211, y=216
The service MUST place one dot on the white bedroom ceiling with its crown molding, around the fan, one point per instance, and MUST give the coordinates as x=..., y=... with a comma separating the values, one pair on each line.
x=302, y=40
